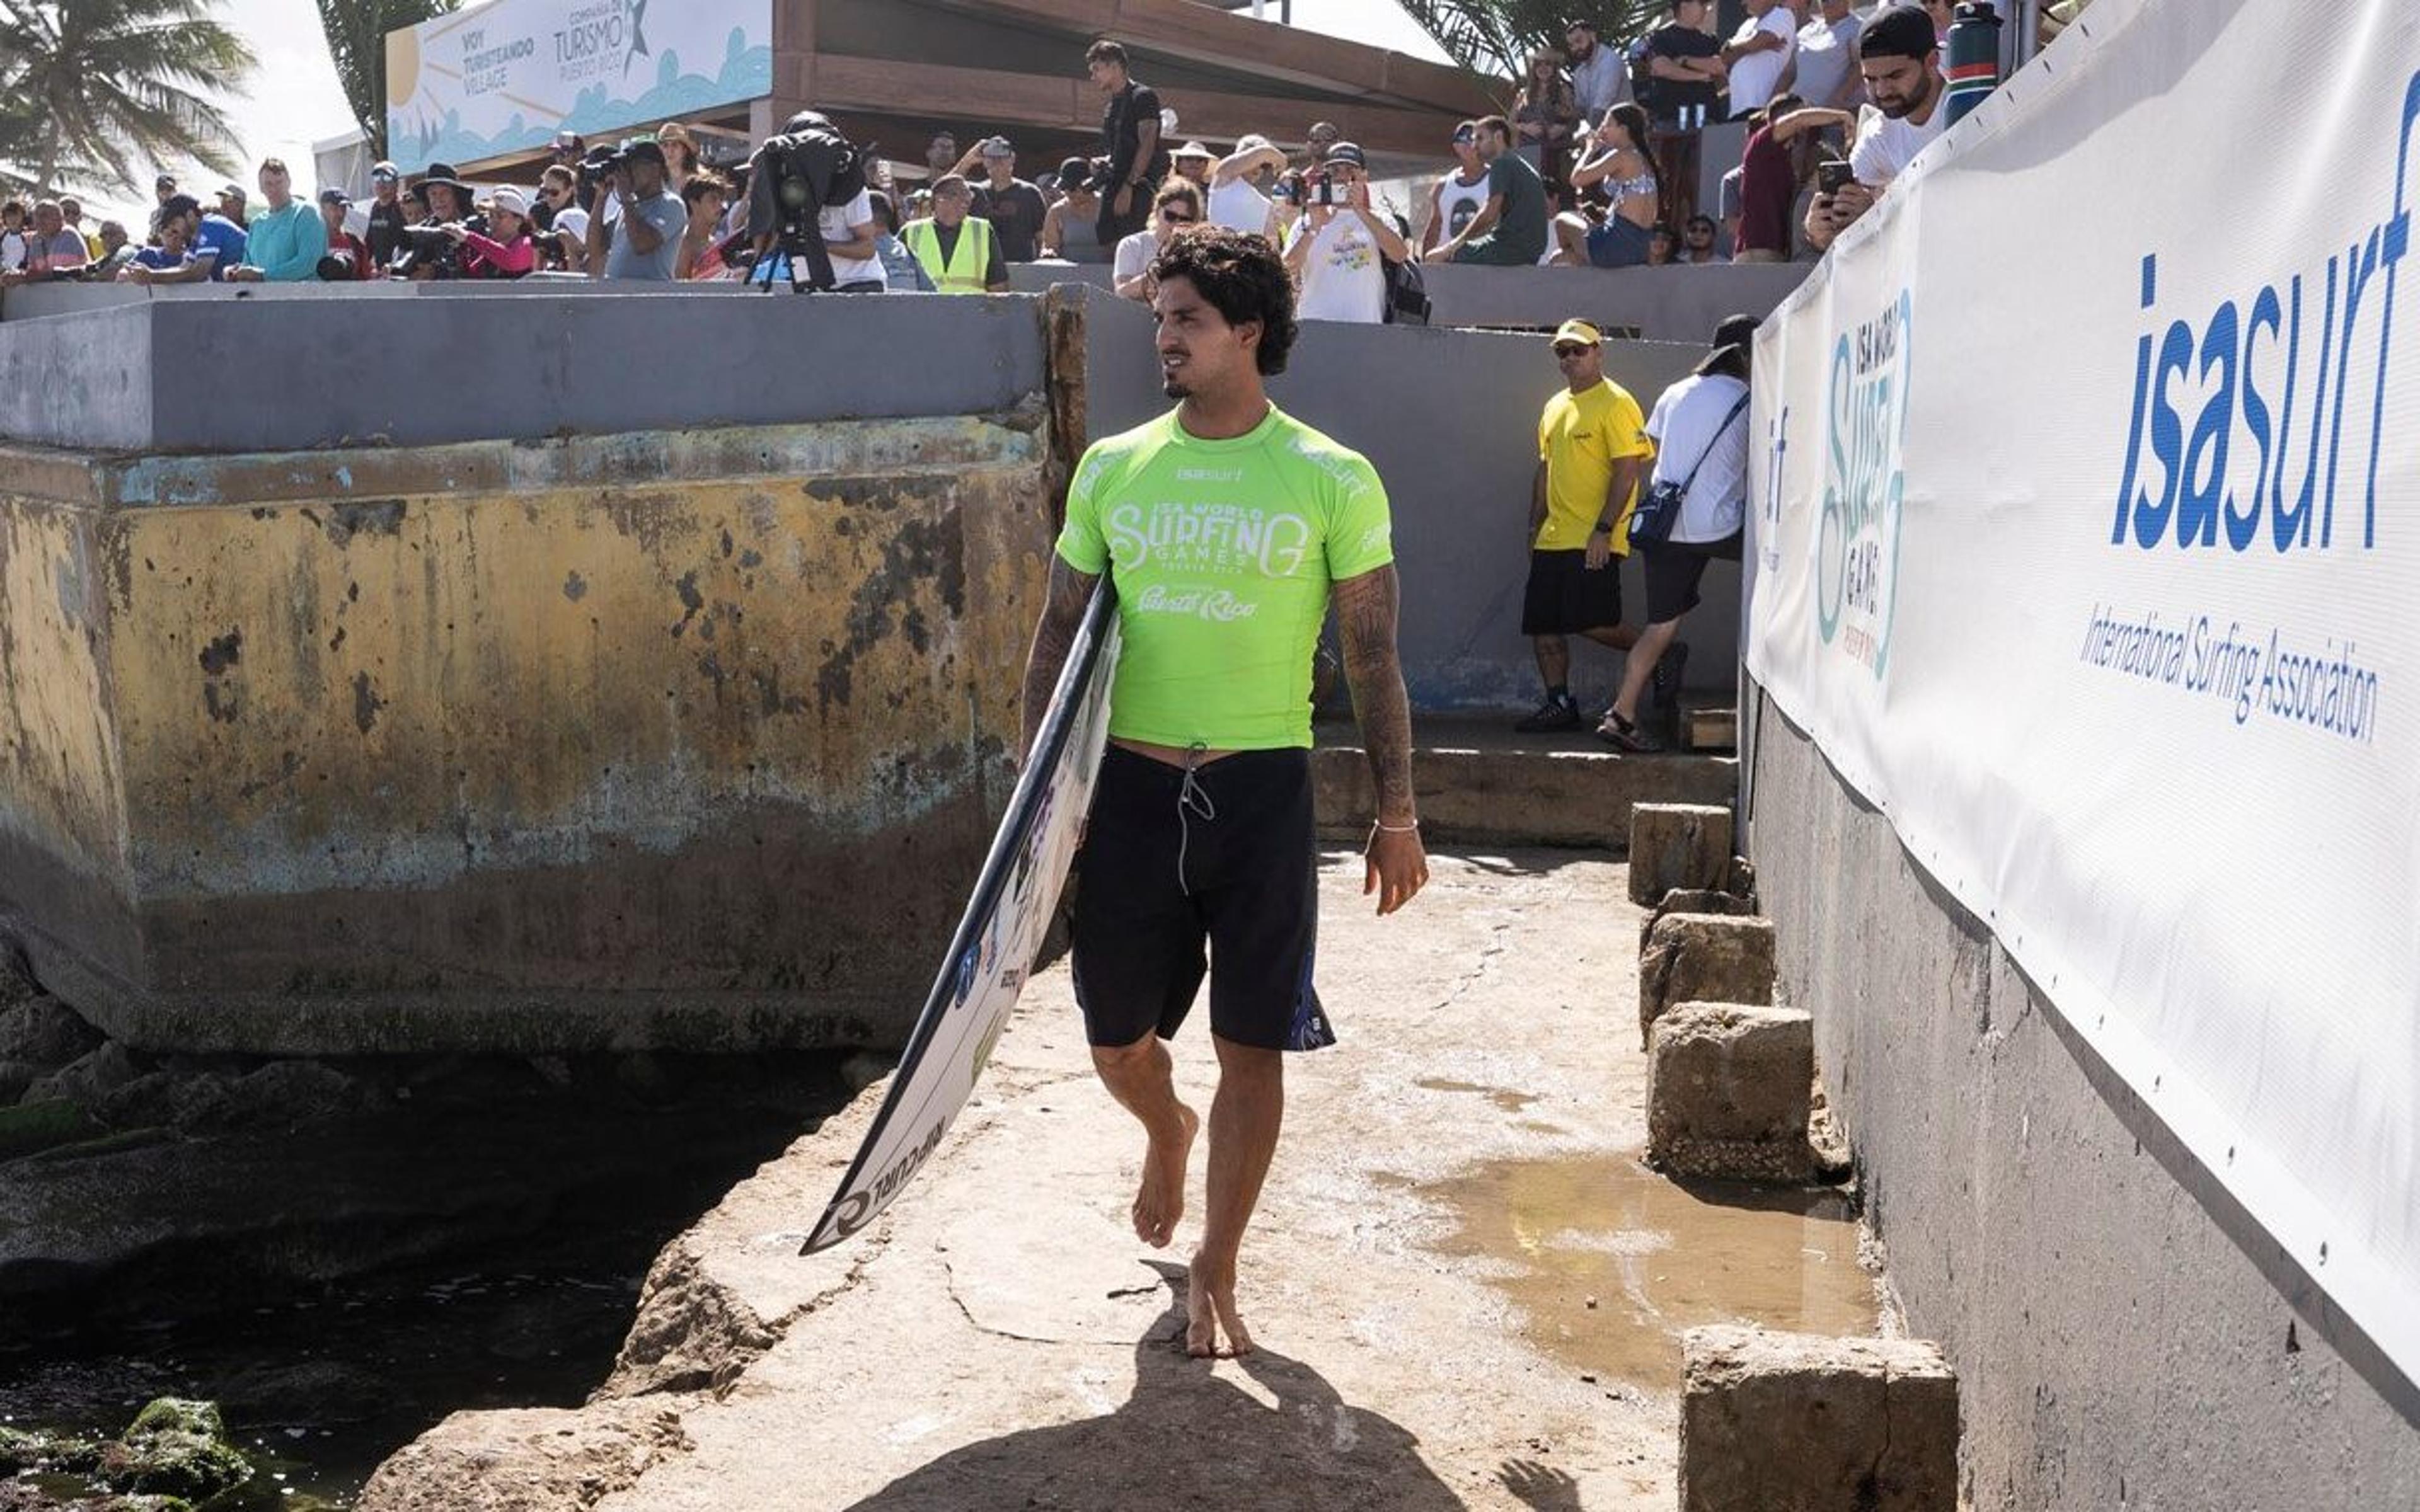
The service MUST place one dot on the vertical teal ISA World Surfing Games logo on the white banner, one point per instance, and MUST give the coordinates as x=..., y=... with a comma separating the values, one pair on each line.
x=1857, y=553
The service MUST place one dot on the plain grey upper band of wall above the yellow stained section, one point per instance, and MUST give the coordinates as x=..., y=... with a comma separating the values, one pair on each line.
x=311, y=367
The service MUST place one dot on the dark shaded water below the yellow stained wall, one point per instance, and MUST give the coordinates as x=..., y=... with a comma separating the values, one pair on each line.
x=323, y=1380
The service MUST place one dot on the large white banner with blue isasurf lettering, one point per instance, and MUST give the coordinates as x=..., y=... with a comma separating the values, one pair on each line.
x=2090, y=553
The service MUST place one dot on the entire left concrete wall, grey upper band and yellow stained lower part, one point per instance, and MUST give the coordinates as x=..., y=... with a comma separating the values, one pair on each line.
x=580, y=722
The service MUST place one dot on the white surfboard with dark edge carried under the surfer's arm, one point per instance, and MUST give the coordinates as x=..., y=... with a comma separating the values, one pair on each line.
x=996, y=942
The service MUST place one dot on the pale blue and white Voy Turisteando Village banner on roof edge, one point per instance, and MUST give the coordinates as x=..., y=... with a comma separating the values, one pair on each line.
x=507, y=76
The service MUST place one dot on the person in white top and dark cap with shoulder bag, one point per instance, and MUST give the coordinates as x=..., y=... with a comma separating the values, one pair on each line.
x=1700, y=432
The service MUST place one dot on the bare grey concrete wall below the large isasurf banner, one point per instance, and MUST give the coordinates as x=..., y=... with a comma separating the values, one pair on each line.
x=2124, y=1334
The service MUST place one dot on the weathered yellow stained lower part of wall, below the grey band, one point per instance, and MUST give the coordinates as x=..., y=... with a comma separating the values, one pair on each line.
x=684, y=737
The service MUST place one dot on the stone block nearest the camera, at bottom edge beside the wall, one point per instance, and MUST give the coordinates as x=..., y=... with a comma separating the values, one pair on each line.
x=1804, y=1424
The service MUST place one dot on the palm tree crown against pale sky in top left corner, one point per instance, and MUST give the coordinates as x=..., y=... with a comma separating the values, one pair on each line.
x=100, y=86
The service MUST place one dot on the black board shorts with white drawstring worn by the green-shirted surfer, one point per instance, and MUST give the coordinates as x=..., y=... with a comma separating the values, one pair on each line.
x=1209, y=875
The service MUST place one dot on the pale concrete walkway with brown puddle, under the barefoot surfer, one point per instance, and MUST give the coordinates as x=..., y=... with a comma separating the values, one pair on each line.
x=1465, y=1288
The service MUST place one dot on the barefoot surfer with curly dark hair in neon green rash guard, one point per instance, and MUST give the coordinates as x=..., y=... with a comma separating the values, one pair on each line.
x=1226, y=529
